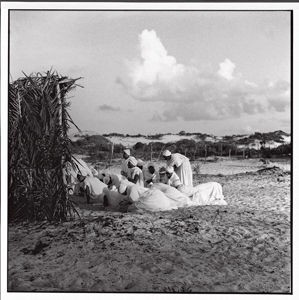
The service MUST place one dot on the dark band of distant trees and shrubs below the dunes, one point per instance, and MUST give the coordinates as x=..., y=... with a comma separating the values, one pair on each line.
x=100, y=148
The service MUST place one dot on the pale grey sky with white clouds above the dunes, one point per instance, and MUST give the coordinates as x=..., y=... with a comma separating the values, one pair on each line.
x=151, y=72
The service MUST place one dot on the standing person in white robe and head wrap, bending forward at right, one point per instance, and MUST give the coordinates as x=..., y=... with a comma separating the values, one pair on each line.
x=181, y=165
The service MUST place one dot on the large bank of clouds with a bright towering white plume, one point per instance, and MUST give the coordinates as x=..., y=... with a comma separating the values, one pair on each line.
x=186, y=92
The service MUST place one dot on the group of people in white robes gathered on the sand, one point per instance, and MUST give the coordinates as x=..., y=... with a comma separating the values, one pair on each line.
x=143, y=185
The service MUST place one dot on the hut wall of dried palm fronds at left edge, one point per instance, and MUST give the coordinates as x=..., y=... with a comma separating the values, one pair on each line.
x=37, y=147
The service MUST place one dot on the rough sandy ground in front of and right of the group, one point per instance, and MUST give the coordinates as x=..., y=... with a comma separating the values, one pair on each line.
x=242, y=247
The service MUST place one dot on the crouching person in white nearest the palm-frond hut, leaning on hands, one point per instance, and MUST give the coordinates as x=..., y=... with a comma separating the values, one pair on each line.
x=92, y=187
